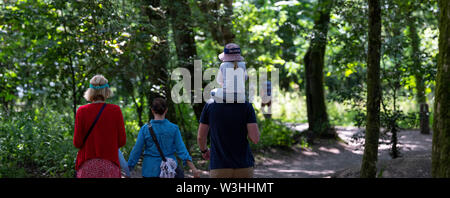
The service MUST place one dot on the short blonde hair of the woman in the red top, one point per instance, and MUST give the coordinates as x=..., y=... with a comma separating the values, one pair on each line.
x=97, y=94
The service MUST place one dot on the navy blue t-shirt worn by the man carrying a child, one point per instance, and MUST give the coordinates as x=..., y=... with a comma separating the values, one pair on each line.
x=228, y=132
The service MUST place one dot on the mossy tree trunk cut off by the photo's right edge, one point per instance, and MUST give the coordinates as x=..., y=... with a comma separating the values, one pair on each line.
x=441, y=125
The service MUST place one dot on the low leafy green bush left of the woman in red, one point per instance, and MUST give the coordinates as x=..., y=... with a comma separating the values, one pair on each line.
x=36, y=144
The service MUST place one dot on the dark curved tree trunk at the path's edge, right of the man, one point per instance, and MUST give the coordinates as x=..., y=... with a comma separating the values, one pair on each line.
x=314, y=63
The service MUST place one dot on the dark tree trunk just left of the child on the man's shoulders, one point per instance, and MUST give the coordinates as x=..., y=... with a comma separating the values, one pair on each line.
x=183, y=35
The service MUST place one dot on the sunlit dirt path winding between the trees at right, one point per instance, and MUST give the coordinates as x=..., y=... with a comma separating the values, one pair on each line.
x=326, y=158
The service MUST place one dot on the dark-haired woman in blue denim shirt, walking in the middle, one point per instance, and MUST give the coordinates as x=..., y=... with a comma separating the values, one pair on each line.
x=169, y=139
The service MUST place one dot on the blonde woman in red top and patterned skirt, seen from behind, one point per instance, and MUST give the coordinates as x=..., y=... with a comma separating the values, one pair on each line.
x=98, y=155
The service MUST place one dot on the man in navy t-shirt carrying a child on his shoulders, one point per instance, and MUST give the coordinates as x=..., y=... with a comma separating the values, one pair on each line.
x=230, y=125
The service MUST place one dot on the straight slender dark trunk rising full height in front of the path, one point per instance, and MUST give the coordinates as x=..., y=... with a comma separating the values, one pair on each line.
x=370, y=157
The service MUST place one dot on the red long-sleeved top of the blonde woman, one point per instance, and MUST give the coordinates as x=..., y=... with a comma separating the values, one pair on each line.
x=107, y=136
